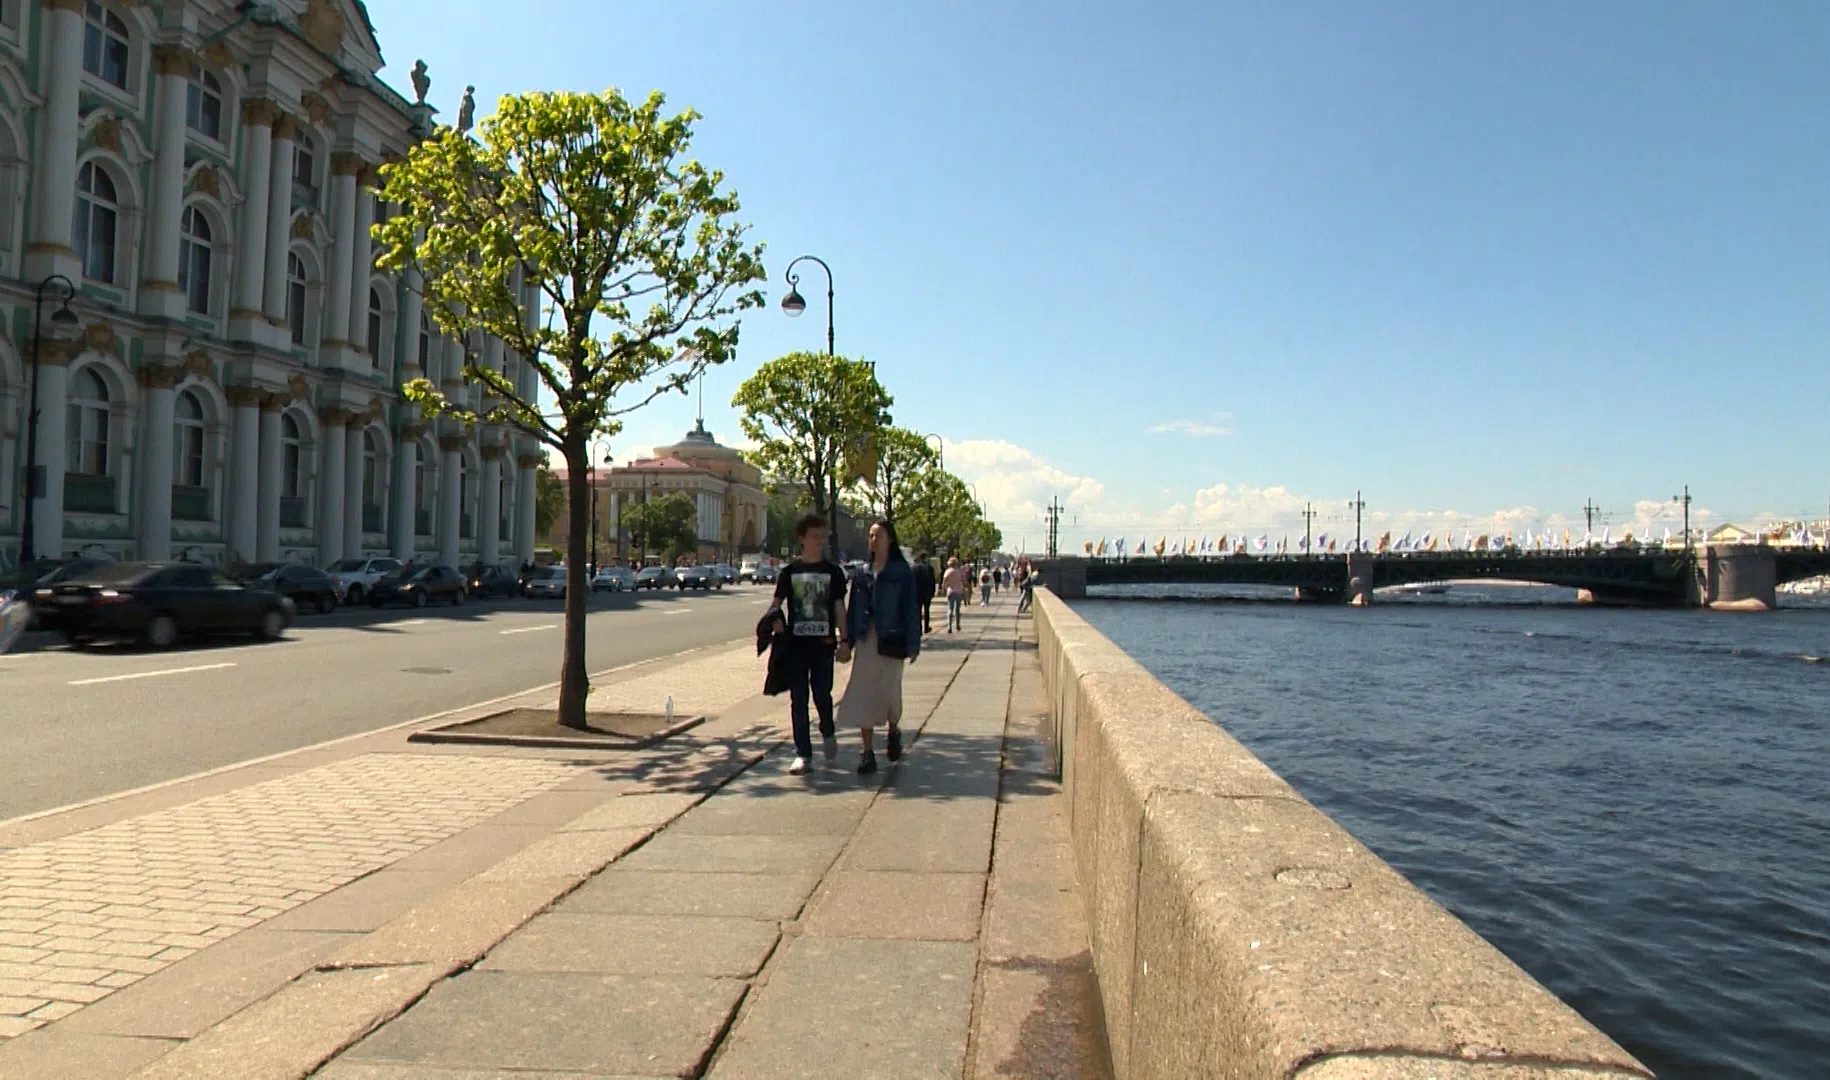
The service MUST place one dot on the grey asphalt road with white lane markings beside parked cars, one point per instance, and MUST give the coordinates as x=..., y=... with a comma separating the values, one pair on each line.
x=78, y=726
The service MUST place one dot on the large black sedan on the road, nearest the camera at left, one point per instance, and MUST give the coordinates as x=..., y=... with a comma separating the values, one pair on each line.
x=158, y=603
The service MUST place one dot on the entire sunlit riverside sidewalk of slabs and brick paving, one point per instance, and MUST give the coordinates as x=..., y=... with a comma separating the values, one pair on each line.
x=398, y=911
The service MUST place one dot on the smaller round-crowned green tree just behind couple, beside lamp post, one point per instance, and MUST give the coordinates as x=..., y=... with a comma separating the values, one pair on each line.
x=813, y=416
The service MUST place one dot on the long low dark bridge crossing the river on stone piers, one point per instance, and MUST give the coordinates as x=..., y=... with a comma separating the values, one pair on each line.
x=1721, y=576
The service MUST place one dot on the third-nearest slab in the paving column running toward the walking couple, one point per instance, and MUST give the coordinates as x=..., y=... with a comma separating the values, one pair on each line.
x=658, y=892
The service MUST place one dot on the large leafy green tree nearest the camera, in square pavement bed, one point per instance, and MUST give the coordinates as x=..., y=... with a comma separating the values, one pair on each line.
x=634, y=252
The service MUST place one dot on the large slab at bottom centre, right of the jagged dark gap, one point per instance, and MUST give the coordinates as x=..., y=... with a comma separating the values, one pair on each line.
x=857, y=1011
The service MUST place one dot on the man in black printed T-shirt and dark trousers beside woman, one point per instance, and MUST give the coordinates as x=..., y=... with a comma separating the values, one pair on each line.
x=812, y=598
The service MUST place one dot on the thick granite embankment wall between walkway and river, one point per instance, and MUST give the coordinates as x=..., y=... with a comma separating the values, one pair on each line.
x=1240, y=933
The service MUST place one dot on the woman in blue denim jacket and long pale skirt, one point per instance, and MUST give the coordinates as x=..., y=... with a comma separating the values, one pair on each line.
x=883, y=632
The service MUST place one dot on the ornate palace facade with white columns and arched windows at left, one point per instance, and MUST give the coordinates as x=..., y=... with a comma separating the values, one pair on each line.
x=202, y=175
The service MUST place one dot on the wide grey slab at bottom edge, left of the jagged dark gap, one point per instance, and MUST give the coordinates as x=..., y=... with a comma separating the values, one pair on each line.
x=641, y=1026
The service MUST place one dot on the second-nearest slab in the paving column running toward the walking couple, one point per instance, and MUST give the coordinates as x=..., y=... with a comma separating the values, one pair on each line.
x=638, y=945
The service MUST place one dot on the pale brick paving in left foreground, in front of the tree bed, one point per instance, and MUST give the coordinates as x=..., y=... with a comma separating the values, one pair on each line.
x=89, y=914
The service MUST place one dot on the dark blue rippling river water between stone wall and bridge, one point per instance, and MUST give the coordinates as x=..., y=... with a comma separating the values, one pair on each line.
x=1633, y=806
